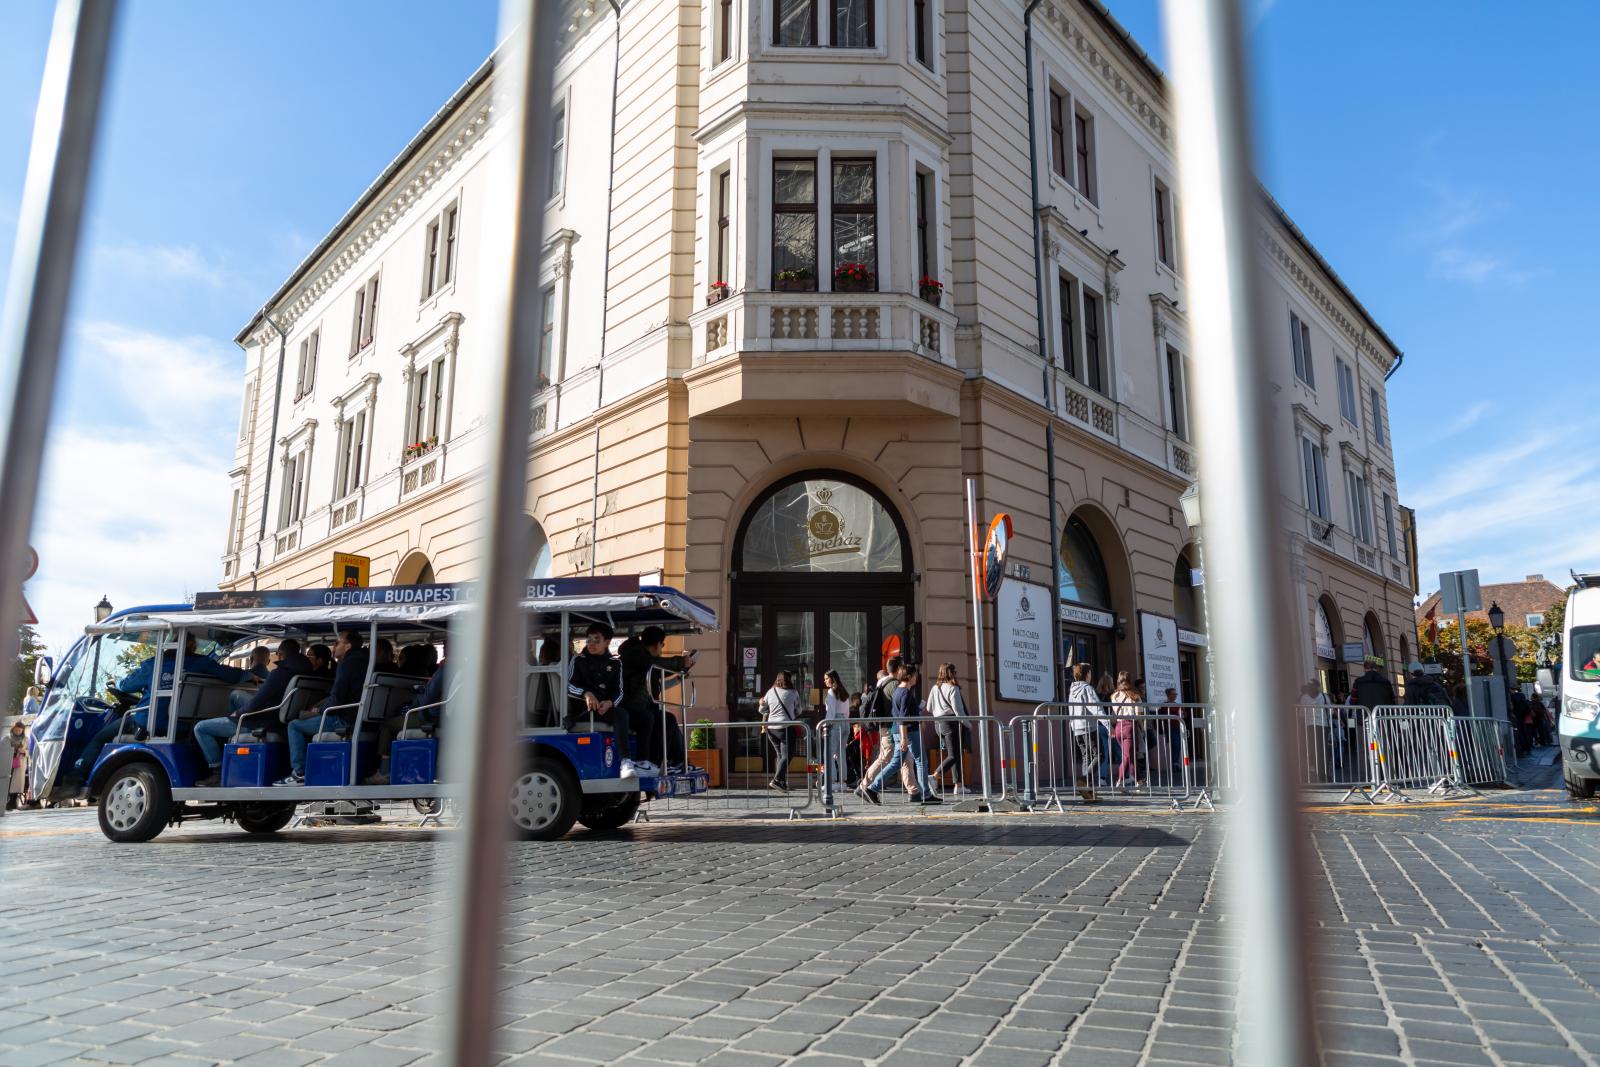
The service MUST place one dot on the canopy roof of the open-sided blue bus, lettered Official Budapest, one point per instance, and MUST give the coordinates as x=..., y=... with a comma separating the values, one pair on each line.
x=618, y=601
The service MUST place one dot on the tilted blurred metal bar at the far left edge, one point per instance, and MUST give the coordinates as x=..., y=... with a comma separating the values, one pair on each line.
x=42, y=266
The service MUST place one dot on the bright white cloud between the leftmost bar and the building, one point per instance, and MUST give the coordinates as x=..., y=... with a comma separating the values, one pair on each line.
x=135, y=506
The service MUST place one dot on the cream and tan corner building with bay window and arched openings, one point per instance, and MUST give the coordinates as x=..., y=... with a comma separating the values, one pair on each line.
x=791, y=447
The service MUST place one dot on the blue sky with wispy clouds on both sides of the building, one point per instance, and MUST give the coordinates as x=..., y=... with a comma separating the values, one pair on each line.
x=1438, y=154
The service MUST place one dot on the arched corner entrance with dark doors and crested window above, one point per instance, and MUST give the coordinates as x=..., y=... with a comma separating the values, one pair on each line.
x=822, y=581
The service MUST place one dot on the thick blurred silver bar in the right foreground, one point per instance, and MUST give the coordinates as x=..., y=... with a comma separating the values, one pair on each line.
x=1249, y=570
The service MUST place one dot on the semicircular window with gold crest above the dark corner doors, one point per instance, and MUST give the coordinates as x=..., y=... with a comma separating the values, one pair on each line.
x=820, y=526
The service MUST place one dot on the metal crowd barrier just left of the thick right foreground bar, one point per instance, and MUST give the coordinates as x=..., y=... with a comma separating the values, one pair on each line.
x=1172, y=753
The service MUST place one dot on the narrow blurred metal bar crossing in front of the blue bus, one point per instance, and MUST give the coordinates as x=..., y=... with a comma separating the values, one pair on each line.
x=492, y=636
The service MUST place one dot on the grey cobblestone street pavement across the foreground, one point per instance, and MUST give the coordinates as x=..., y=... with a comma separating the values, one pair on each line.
x=1462, y=933
